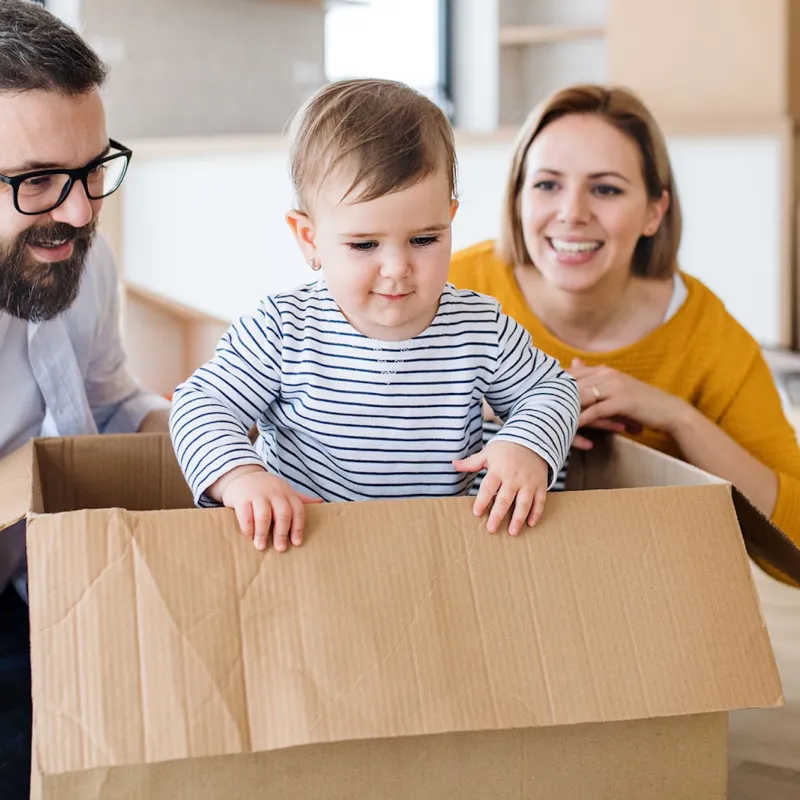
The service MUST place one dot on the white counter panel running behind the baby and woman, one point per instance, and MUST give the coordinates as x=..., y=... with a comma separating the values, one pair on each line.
x=208, y=230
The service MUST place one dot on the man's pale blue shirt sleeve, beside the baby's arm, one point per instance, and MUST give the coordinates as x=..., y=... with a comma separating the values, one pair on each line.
x=117, y=402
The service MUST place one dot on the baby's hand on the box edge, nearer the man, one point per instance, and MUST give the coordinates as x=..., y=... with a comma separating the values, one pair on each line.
x=262, y=500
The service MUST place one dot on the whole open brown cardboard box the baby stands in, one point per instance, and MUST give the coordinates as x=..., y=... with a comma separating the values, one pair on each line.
x=403, y=653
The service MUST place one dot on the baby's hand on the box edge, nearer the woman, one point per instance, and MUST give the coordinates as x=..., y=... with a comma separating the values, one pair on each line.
x=516, y=477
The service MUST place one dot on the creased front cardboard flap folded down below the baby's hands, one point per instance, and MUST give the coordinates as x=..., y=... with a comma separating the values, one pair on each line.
x=174, y=638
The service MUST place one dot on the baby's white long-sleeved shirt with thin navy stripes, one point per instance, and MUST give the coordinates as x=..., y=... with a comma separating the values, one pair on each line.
x=336, y=426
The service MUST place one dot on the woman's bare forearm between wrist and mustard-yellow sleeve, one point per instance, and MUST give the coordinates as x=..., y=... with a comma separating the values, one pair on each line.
x=707, y=446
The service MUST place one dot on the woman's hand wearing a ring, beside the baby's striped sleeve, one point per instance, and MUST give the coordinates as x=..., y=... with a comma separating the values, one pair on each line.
x=614, y=401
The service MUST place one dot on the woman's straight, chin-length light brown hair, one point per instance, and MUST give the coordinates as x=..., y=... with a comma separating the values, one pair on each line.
x=655, y=256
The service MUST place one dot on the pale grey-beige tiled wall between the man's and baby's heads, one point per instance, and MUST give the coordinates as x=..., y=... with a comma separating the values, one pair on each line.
x=204, y=67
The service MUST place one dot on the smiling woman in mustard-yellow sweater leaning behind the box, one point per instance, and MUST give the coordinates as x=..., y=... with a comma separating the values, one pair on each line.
x=587, y=262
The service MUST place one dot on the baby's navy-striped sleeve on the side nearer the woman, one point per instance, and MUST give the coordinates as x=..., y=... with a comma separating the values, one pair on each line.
x=536, y=397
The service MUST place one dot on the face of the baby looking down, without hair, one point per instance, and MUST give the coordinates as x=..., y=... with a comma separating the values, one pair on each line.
x=386, y=260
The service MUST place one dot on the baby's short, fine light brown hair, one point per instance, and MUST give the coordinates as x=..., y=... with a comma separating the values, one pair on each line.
x=385, y=134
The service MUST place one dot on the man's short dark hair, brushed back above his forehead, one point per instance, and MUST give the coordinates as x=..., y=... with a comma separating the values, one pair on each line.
x=39, y=51
